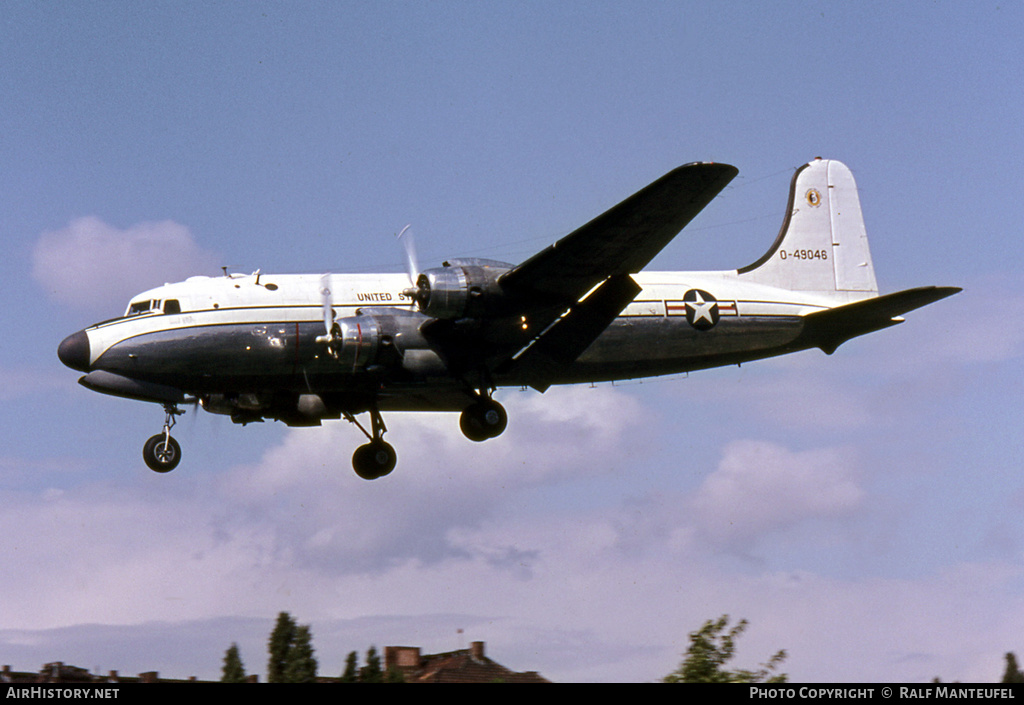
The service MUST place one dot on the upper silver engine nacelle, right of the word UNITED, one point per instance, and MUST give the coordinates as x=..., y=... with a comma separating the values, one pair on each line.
x=463, y=288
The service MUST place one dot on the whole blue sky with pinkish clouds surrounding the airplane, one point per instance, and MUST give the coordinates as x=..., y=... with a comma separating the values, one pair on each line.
x=863, y=511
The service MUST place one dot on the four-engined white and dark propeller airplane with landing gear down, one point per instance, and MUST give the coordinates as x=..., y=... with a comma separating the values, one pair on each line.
x=302, y=349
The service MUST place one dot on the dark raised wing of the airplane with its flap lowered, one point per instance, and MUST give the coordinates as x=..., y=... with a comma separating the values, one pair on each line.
x=546, y=291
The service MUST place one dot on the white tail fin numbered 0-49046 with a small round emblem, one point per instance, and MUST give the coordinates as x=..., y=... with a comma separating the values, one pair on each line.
x=823, y=246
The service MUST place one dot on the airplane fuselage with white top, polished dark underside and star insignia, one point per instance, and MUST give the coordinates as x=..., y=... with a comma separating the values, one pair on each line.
x=258, y=336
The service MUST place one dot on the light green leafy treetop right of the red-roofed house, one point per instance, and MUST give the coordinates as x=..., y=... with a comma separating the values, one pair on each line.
x=711, y=647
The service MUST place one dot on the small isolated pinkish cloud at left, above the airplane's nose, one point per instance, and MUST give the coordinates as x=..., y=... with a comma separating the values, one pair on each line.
x=96, y=267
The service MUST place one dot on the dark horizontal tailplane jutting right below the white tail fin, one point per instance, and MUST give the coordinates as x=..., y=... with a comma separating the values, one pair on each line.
x=830, y=329
